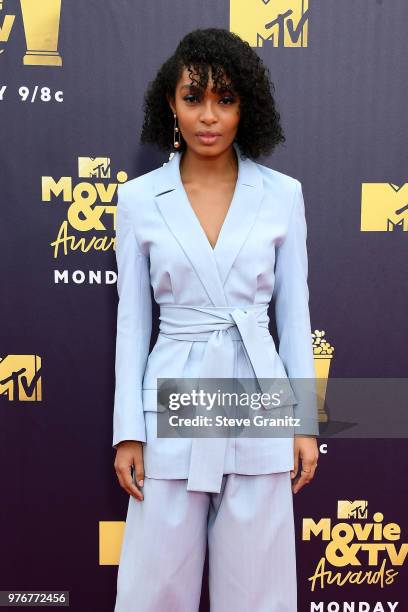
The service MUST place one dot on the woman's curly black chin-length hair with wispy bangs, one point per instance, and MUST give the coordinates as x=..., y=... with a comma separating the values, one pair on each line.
x=259, y=129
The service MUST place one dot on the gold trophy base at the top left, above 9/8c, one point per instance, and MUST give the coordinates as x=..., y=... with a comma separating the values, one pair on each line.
x=41, y=28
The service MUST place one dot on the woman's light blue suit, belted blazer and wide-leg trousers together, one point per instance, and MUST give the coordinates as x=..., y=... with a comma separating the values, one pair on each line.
x=213, y=323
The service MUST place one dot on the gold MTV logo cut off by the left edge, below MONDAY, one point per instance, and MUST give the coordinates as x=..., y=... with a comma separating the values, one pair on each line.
x=20, y=378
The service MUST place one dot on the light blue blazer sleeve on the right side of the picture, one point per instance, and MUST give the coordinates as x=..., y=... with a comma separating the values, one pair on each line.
x=291, y=298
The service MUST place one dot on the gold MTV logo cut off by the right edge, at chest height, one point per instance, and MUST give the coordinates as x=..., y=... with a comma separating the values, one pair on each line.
x=384, y=207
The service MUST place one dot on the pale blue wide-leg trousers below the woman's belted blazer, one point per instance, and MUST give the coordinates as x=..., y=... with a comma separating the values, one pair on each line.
x=250, y=529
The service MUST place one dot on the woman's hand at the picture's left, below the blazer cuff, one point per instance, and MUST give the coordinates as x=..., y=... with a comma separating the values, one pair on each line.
x=130, y=453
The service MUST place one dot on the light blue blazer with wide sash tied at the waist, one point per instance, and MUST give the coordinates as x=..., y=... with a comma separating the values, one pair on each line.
x=213, y=313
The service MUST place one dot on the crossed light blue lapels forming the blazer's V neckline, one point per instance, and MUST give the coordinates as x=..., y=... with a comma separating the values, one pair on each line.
x=211, y=265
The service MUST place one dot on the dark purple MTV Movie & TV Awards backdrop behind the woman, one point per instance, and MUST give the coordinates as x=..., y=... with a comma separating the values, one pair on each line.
x=72, y=80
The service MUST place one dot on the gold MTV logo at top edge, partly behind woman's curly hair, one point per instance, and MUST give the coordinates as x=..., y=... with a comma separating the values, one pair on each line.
x=275, y=23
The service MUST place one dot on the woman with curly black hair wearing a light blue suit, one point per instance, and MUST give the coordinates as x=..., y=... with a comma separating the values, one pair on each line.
x=217, y=236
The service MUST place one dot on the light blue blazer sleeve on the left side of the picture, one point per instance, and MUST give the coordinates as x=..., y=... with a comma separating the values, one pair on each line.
x=133, y=330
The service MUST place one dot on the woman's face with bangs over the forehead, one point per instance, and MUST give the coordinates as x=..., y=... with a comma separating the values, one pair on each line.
x=199, y=112
